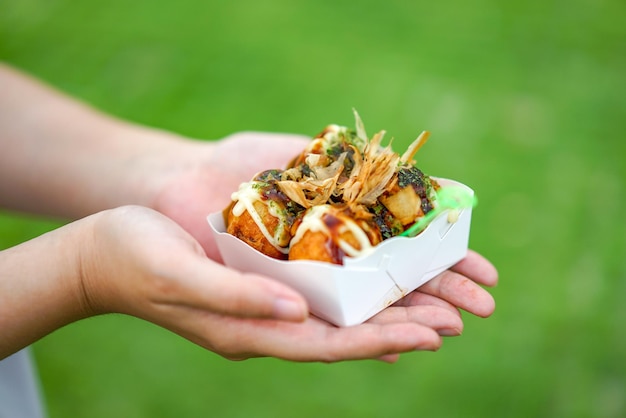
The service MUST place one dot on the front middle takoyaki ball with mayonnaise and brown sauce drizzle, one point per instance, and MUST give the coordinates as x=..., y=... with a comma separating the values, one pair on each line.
x=328, y=233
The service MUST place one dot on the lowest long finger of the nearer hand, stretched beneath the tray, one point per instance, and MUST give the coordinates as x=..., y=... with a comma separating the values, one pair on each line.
x=316, y=340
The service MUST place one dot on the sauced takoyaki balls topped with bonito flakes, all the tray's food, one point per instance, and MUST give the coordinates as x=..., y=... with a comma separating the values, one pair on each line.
x=343, y=195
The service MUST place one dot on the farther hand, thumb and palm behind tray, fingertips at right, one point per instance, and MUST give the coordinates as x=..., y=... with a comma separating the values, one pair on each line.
x=219, y=168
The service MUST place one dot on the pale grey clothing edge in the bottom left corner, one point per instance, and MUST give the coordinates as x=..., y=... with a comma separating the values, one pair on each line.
x=20, y=395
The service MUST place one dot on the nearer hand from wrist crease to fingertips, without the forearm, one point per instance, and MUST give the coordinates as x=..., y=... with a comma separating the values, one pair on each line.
x=140, y=263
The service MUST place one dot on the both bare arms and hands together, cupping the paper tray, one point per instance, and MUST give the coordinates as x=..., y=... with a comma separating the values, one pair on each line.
x=137, y=242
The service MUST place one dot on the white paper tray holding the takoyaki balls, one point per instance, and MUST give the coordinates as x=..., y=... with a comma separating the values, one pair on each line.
x=351, y=293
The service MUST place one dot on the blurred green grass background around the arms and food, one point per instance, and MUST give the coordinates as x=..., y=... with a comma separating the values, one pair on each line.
x=526, y=104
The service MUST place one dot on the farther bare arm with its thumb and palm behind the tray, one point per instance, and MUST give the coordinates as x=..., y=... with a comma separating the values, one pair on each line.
x=66, y=159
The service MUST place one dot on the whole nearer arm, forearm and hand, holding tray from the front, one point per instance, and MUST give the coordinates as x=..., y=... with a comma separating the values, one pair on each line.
x=135, y=261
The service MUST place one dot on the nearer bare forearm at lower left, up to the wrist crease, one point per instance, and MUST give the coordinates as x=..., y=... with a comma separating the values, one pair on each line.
x=40, y=287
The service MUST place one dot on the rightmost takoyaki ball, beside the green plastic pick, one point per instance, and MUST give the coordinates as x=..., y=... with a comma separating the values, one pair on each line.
x=410, y=196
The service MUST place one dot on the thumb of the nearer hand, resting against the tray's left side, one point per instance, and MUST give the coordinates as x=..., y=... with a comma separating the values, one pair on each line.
x=206, y=285
